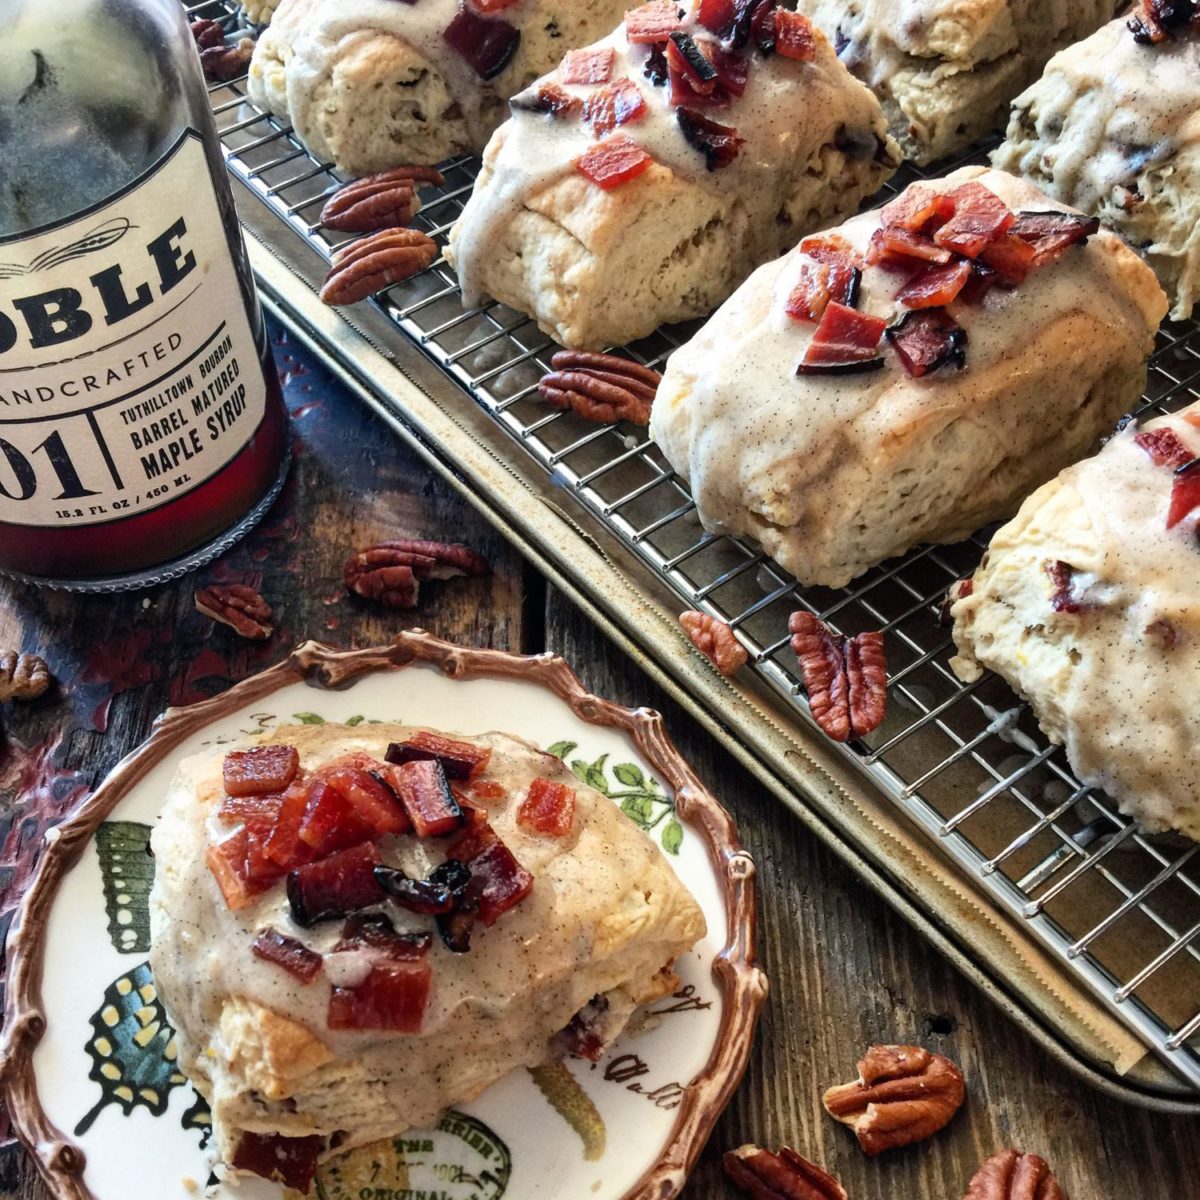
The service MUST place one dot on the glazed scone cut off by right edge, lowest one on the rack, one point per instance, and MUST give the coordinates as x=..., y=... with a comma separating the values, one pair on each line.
x=1087, y=604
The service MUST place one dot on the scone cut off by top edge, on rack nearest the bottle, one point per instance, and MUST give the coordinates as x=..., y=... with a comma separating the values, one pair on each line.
x=374, y=85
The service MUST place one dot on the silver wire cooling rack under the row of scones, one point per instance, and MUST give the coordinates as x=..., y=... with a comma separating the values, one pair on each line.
x=967, y=763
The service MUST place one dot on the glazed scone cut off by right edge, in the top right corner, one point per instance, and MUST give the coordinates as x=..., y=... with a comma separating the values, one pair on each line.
x=1114, y=129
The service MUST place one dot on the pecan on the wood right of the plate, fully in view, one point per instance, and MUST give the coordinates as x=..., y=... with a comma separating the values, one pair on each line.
x=903, y=1095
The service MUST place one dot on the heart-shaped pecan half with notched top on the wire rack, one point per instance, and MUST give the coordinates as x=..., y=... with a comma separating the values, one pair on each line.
x=847, y=679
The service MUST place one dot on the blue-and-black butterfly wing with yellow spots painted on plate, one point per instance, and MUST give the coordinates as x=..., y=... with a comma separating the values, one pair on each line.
x=133, y=1049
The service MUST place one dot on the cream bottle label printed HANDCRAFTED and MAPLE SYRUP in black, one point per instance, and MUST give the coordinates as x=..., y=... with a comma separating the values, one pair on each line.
x=129, y=368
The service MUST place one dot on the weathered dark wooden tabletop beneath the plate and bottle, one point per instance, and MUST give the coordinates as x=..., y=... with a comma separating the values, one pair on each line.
x=844, y=970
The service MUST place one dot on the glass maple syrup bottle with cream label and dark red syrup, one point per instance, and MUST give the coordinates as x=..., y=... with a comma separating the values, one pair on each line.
x=142, y=427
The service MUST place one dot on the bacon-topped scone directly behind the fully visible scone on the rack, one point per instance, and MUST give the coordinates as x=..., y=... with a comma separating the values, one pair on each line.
x=643, y=181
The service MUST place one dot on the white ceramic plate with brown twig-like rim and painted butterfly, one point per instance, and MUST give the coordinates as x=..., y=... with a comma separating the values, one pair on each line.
x=88, y=1057
